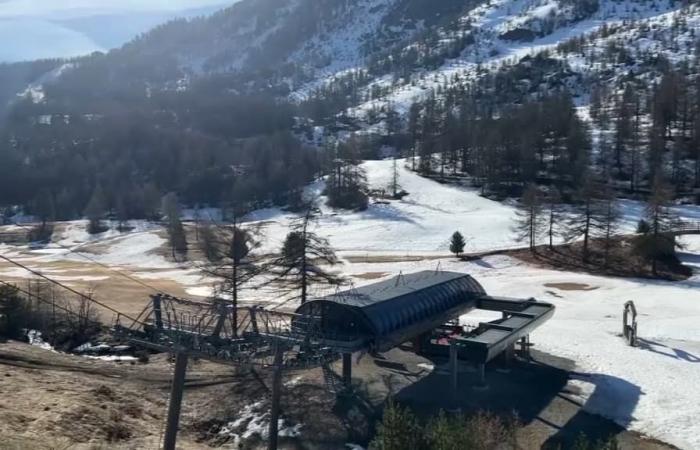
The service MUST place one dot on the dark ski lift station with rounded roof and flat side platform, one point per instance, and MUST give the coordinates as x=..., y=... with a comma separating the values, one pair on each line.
x=423, y=308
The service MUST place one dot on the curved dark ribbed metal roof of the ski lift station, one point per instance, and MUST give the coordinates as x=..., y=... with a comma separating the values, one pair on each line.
x=406, y=301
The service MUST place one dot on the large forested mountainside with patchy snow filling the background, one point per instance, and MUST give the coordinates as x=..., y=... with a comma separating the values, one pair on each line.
x=250, y=104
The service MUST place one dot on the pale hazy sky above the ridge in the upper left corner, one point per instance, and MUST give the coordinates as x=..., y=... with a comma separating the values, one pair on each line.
x=32, y=29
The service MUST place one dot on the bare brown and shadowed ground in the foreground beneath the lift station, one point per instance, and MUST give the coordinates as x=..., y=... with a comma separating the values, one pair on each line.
x=52, y=400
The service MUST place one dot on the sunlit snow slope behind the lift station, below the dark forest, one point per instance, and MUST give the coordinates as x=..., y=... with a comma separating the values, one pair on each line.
x=420, y=224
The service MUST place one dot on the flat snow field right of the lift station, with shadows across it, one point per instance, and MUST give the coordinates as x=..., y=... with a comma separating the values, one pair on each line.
x=651, y=389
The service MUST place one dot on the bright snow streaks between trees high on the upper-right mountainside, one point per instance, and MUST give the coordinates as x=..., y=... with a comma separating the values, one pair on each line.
x=490, y=51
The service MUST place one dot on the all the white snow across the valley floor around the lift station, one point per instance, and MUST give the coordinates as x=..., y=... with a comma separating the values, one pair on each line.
x=652, y=389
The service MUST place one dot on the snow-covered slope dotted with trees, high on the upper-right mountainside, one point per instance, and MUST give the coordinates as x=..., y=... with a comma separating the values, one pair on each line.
x=506, y=31
